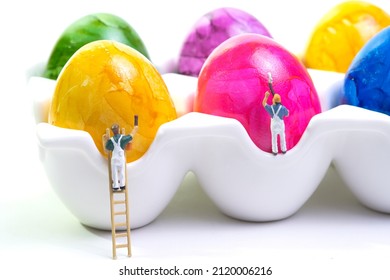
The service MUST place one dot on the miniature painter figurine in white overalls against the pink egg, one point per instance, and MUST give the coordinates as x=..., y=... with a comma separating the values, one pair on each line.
x=277, y=112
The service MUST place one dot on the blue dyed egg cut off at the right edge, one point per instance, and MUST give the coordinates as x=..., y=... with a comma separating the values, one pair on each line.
x=367, y=82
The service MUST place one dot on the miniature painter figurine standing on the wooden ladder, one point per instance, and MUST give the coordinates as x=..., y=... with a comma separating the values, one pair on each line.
x=117, y=145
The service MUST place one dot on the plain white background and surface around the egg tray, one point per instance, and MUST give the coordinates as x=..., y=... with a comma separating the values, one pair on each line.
x=331, y=236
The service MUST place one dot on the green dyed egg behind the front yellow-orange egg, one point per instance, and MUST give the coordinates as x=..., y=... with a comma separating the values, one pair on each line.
x=99, y=26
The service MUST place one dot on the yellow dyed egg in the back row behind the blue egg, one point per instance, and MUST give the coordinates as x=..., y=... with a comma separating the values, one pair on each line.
x=341, y=33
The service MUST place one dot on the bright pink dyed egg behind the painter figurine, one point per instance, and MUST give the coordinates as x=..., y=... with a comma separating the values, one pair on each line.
x=234, y=79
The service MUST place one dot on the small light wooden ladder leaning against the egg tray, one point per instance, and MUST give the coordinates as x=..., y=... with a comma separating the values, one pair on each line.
x=119, y=207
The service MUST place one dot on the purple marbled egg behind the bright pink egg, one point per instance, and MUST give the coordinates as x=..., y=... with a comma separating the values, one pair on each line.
x=211, y=30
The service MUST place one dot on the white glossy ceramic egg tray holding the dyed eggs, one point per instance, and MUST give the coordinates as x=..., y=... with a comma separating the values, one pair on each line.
x=242, y=180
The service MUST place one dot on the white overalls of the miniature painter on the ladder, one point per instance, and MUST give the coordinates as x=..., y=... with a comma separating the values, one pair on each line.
x=118, y=164
